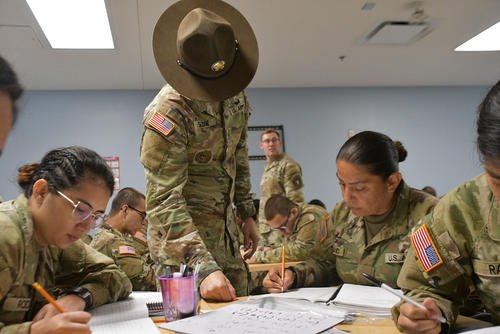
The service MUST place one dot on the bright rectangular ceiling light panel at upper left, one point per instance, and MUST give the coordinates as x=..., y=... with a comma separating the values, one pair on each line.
x=74, y=24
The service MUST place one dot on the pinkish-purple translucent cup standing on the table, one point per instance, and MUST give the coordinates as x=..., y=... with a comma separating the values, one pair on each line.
x=180, y=297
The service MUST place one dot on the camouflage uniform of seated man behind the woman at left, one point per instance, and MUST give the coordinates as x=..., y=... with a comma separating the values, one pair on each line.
x=119, y=247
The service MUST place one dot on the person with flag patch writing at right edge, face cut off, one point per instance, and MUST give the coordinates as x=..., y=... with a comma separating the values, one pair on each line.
x=457, y=246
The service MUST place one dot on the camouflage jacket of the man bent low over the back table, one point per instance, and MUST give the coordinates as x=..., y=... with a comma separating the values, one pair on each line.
x=306, y=234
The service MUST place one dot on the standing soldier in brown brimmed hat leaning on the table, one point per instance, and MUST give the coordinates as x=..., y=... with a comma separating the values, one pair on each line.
x=194, y=147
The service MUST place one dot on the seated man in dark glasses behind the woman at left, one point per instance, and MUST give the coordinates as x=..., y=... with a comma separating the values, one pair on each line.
x=115, y=240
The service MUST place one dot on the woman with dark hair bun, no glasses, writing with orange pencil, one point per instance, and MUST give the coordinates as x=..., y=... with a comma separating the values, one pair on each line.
x=368, y=230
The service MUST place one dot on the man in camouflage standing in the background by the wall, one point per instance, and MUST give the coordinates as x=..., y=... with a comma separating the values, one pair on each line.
x=282, y=176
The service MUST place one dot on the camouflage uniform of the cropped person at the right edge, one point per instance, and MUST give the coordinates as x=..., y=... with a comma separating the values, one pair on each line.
x=465, y=230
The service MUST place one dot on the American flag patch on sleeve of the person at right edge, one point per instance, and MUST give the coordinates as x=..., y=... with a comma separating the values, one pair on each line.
x=426, y=250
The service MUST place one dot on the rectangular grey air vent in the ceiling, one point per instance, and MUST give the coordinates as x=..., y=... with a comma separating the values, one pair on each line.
x=397, y=32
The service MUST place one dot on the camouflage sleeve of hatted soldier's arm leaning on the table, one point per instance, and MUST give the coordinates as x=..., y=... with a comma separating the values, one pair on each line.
x=172, y=235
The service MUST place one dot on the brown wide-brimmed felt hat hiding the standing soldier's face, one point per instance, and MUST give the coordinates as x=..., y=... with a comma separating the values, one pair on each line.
x=205, y=49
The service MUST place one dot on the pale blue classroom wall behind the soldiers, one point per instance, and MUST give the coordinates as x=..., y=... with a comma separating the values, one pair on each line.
x=436, y=125
